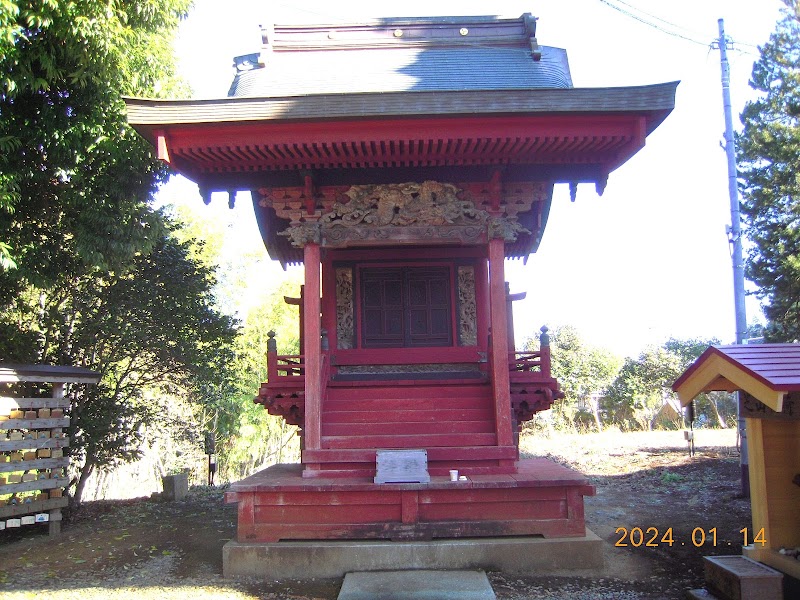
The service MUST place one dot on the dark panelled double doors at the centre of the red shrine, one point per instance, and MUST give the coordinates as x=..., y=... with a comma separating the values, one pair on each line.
x=406, y=307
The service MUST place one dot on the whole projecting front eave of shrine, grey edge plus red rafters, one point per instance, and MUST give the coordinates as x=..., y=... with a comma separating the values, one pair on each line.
x=578, y=134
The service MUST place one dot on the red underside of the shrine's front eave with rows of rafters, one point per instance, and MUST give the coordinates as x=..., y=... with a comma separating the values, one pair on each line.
x=202, y=151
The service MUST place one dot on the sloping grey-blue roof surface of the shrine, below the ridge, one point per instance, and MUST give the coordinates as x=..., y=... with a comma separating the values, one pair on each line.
x=402, y=69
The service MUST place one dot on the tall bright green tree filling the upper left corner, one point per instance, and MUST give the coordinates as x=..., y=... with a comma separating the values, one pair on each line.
x=74, y=178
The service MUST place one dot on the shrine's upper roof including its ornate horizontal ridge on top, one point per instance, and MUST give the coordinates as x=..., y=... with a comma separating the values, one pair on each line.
x=401, y=54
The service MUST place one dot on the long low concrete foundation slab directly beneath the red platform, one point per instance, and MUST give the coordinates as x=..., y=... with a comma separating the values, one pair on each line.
x=330, y=559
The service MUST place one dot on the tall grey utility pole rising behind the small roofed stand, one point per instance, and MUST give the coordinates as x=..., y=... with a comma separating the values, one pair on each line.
x=735, y=239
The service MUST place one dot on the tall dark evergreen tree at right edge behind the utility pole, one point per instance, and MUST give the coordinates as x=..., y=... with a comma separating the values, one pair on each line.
x=769, y=162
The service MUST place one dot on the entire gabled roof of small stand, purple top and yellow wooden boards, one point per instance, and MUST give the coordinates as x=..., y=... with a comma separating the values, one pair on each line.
x=766, y=371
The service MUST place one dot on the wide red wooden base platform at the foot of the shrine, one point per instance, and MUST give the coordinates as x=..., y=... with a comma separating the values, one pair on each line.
x=541, y=498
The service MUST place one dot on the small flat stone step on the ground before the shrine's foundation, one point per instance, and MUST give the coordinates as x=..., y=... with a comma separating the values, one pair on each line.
x=417, y=585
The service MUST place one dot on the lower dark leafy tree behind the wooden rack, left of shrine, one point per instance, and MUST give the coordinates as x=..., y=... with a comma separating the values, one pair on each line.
x=150, y=332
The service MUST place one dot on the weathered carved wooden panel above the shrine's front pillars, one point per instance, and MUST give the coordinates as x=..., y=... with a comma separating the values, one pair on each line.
x=405, y=213
